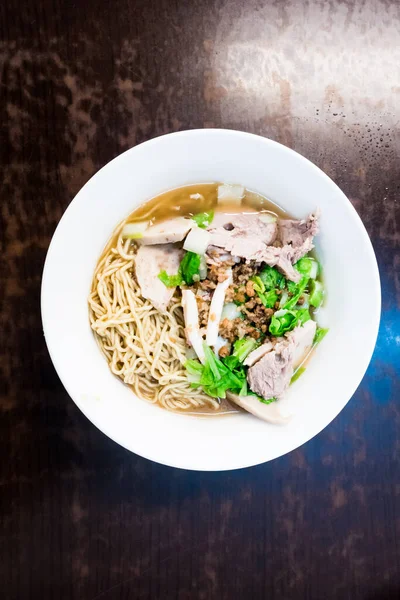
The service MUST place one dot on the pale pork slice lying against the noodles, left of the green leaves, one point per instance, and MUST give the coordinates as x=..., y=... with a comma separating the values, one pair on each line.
x=149, y=261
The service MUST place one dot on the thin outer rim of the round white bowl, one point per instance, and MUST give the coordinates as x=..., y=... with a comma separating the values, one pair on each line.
x=373, y=325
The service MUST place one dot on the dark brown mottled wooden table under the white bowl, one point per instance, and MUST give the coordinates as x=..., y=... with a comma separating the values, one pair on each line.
x=80, y=517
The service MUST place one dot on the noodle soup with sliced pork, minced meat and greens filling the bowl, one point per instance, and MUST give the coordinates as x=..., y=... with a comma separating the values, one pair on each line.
x=160, y=318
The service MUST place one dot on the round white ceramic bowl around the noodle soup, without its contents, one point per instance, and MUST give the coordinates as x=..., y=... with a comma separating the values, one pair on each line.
x=352, y=309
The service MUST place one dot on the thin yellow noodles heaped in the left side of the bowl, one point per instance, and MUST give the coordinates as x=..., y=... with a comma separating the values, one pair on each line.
x=142, y=346
